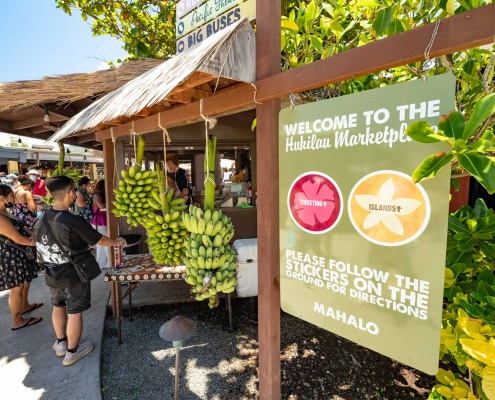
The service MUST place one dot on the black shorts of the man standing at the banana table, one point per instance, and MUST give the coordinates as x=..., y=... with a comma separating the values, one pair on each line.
x=76, y=298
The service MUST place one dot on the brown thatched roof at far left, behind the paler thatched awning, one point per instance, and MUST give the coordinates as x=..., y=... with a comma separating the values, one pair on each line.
x=70, y=88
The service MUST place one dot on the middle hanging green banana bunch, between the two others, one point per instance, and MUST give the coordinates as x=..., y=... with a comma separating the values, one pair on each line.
x=167, y=235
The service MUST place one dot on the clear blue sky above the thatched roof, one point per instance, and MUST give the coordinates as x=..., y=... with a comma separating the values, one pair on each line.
x=37, y=39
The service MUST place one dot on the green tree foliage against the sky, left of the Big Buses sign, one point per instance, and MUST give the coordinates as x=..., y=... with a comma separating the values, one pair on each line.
x=146, y=27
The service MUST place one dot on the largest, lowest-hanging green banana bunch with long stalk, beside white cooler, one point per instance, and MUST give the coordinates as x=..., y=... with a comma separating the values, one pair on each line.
x=210, y=261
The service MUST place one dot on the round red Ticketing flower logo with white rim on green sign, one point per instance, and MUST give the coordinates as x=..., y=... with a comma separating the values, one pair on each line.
x=315, y=202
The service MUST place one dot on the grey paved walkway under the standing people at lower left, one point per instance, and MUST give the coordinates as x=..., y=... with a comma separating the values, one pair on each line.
x=29, y=368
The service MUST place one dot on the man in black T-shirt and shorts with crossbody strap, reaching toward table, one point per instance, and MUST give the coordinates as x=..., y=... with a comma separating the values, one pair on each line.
x=70, y=296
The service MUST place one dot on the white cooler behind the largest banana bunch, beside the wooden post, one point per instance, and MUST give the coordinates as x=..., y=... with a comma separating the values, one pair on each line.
x=247, y=267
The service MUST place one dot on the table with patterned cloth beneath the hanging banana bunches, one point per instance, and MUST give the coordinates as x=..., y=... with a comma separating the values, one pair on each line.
x=139, y=268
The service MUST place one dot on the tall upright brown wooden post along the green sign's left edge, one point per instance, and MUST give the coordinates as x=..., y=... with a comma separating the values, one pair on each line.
x=268, y=14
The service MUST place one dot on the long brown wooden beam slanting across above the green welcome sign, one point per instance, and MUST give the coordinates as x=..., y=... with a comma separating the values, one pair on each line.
x=470, y=29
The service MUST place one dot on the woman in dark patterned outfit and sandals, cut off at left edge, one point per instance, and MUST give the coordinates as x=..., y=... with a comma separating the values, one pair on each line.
x=16, y=270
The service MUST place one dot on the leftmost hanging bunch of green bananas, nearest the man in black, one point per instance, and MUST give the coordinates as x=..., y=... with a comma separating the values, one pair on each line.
x=135, y=190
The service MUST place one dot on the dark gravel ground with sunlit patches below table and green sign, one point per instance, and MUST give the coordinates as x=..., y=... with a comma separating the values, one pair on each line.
x=218, y=364
